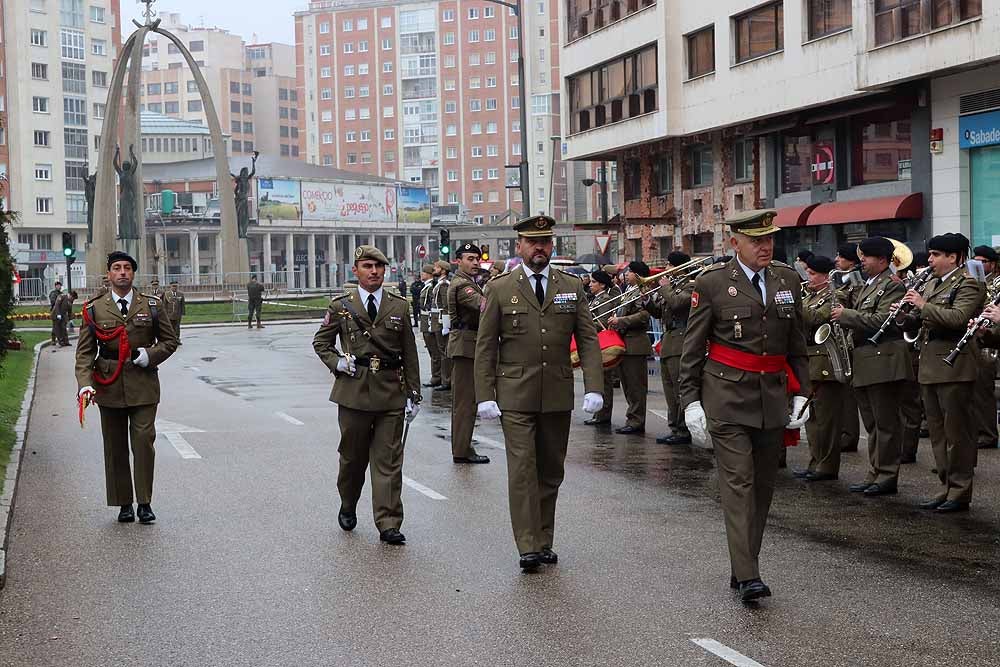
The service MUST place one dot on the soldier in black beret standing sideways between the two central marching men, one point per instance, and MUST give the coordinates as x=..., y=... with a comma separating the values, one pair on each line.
x=465, y=302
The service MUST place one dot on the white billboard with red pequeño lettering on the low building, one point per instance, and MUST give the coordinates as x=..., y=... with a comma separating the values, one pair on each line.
x=341, y=202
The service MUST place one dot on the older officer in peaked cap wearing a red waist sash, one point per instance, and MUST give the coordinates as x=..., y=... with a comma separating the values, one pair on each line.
x=747, y=313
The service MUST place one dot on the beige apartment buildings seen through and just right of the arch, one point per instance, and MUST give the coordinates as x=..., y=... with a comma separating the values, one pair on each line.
x=253, y=86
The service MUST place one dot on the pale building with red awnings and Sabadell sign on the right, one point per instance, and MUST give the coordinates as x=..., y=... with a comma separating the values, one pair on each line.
x=829, y=110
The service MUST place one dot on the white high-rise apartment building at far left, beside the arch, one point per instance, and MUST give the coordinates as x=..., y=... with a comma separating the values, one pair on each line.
x=58, y=59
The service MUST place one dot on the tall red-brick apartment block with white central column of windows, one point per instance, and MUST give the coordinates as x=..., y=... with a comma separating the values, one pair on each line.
x=429, y=93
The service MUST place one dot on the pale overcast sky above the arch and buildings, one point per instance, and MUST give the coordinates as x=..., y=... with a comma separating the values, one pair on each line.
x=271, y=20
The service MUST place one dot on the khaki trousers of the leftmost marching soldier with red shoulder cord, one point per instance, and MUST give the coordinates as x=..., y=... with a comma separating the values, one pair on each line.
x=119, y=426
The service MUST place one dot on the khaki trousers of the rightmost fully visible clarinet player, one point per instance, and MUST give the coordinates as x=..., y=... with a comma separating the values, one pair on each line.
x=953, y=436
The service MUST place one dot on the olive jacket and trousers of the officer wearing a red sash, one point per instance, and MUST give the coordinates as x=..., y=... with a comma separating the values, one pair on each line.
x=746, y=411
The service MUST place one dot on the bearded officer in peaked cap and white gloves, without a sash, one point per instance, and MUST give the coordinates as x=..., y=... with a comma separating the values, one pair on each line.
x=524, y=378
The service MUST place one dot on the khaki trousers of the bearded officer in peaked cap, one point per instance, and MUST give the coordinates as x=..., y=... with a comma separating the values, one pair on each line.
x=536, y=451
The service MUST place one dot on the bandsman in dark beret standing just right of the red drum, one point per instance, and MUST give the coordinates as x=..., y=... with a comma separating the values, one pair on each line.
x=633, y=324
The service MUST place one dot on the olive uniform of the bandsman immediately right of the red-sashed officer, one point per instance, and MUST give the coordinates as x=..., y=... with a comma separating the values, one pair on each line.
x=823, y=430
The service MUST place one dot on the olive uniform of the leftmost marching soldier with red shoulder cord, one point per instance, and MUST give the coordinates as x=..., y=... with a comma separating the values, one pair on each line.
x=127, y=405
